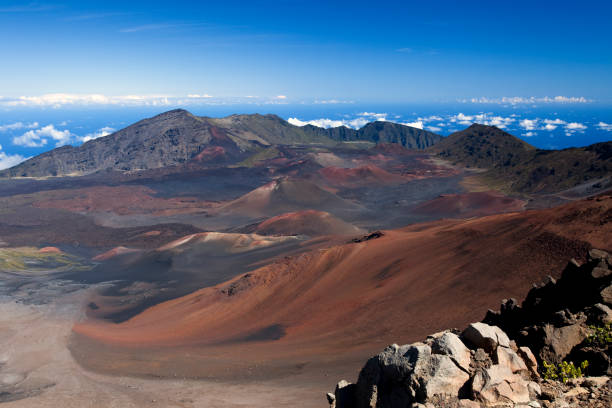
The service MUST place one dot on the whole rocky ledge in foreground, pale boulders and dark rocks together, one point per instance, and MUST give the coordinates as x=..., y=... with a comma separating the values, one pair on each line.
x=499, y=362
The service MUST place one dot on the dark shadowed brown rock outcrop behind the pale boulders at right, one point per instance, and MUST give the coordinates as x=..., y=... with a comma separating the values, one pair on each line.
x=555, y=318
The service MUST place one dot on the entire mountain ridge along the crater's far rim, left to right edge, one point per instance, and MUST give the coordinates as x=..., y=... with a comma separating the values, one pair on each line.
x=178, y=138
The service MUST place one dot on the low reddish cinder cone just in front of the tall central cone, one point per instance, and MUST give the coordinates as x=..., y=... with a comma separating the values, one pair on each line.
x=308, y=222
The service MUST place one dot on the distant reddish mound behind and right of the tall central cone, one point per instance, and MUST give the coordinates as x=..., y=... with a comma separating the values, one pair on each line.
x=360, y=176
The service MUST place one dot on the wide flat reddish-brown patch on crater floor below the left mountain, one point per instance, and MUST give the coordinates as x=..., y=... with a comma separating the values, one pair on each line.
x=121, y=200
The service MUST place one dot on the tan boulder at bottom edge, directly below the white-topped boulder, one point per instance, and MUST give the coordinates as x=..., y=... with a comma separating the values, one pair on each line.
x=497, y=385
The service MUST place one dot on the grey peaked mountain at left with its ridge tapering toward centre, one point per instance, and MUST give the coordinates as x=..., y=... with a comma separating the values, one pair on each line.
x=177, y=137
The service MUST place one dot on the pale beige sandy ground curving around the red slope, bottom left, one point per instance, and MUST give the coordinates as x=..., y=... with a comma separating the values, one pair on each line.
x=37, y=367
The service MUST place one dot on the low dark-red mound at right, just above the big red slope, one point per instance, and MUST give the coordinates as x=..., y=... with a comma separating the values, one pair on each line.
x=469, y=205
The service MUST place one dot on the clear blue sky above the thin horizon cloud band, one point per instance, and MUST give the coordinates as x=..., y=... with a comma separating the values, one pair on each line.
x=384, y=51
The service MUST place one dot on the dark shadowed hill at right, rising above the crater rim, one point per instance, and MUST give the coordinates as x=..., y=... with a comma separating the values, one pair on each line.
x=515, y=166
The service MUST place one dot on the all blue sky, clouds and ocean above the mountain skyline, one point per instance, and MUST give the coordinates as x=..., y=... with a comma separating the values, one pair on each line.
x=75, y=70
